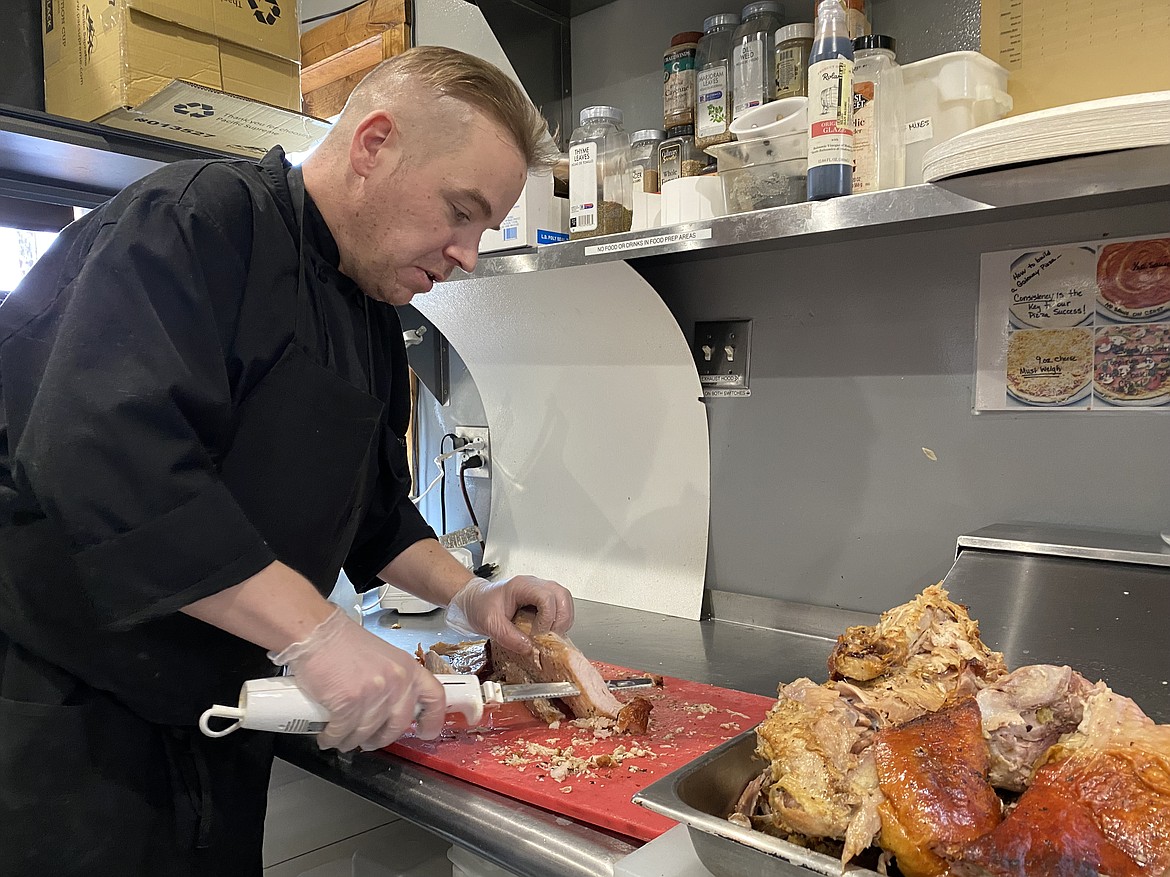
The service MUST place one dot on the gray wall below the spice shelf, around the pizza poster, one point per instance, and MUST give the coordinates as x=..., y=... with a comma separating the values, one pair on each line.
x=863, y=355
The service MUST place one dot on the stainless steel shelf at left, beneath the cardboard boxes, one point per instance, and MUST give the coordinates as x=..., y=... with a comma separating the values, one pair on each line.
x=59, y=161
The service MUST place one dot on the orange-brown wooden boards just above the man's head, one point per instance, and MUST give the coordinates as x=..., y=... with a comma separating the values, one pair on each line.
x=338, y=54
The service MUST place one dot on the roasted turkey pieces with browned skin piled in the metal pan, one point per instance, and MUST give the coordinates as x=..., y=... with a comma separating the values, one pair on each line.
x=921, y=740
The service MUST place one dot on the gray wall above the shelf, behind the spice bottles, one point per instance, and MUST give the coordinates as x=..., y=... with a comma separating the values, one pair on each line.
x=617, y=50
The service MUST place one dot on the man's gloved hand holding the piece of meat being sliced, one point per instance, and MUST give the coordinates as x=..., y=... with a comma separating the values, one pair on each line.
x=485, y=607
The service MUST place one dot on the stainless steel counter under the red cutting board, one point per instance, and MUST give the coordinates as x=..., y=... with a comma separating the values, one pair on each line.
x=528, y=840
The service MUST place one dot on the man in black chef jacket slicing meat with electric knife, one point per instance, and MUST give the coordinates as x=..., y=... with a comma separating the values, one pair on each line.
x=203, y=400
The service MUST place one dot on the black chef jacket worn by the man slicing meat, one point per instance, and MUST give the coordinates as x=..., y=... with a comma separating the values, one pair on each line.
x=142, y=354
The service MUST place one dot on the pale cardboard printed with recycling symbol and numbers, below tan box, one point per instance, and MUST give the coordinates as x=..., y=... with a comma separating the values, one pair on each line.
x=204, y=118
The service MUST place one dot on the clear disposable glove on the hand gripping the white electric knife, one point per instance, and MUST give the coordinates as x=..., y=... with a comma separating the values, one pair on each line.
x=371, y=690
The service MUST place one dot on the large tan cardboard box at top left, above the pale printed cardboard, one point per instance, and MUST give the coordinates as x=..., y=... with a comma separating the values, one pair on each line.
x=104, y=56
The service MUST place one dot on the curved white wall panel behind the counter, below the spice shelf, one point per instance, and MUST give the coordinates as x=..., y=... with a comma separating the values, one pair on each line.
x=601, y=458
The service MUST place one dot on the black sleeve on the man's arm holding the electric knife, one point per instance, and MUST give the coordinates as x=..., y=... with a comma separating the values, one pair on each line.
x=135, y=406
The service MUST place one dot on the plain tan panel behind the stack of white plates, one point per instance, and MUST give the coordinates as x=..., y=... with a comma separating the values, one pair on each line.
x=1064, y=52
